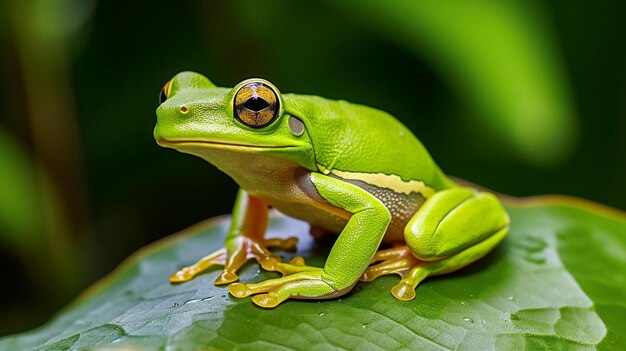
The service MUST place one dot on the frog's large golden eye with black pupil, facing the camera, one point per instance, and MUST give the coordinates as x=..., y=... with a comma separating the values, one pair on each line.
x=256, y=105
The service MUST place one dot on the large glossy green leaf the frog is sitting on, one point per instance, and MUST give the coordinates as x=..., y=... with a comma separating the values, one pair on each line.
x=556, y=282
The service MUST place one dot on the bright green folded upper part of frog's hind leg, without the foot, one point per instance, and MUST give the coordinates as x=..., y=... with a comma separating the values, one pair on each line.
x=453, y=220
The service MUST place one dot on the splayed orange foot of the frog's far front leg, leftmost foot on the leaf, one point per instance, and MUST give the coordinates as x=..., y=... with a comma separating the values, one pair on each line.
x=241, y=249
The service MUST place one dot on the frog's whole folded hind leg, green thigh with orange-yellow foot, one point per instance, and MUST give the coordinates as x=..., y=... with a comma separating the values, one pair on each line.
x=452, y=229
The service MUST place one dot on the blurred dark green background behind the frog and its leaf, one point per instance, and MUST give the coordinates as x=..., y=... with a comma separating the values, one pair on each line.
x=524, y=97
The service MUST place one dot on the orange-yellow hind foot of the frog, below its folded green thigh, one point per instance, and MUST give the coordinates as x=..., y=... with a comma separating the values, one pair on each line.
x=398, y=260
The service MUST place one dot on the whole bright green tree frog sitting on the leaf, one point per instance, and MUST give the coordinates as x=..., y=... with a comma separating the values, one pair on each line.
x=344, y=168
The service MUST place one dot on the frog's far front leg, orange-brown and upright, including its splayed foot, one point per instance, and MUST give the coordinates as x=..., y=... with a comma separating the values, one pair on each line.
x=245, y=240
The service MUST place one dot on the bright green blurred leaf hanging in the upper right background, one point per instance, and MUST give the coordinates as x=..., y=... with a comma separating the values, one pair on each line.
x=500, y=57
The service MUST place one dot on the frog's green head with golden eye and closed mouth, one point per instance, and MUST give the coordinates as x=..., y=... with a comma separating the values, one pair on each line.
x=197, y=117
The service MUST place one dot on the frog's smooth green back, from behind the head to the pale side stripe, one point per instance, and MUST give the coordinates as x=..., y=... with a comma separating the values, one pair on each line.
x=352, y=138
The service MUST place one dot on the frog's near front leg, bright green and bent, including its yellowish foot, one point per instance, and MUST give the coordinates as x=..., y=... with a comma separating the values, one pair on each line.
x=349, y=257
